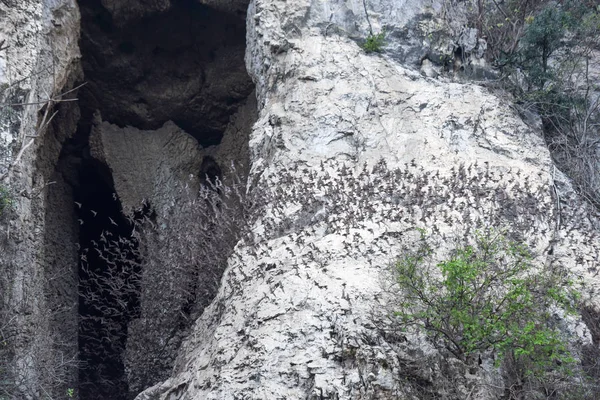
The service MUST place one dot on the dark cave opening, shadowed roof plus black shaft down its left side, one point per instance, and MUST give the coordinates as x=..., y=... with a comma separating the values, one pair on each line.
x=180, y=62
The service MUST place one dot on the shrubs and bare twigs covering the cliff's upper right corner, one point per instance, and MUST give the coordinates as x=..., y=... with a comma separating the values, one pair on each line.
x=546, y=55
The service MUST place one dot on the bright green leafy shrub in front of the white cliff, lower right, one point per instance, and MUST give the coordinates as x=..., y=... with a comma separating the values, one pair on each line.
x=485, y=298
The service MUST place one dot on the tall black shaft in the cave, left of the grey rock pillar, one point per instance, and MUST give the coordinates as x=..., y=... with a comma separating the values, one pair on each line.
x=109, y=273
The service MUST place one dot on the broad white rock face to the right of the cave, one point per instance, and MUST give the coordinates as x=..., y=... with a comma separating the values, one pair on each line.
x=299, y=312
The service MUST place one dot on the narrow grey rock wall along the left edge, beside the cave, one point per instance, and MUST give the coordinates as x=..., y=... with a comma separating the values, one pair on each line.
x=39, y=61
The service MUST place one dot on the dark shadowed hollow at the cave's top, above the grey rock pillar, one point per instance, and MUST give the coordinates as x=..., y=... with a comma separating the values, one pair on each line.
x=185, y=65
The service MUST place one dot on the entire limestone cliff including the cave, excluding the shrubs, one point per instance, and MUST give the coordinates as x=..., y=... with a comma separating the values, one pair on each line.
x=339, y=156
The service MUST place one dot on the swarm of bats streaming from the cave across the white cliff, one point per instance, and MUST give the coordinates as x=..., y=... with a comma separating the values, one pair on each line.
x=157, y=280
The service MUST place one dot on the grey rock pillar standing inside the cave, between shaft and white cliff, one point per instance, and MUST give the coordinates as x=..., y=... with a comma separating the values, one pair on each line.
x=165, y=170
